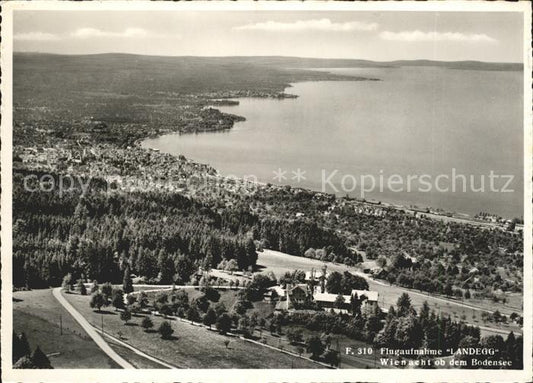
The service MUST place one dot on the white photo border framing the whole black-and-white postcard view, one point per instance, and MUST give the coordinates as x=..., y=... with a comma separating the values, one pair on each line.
x=250, y=375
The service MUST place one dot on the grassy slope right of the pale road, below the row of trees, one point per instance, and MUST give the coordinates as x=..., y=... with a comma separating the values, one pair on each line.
x=191, y=346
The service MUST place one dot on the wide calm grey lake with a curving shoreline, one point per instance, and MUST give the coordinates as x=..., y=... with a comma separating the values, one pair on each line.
x=404, y=139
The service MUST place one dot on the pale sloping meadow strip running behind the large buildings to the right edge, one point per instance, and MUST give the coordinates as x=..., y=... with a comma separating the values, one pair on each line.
x=279, y=263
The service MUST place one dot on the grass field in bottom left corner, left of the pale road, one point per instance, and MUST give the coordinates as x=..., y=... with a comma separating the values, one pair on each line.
x=36, y=313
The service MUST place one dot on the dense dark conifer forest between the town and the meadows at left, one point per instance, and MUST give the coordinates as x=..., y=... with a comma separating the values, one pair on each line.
x=164, y=237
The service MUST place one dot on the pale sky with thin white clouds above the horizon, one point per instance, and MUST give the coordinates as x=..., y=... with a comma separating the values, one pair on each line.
x=380, y=35
